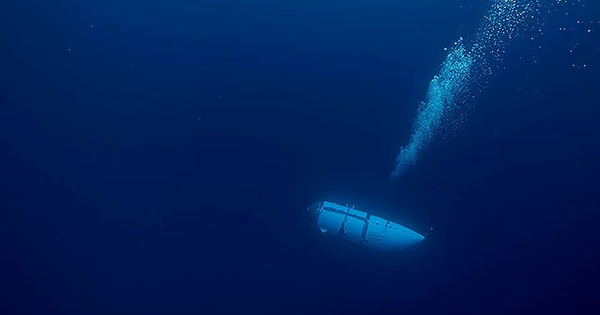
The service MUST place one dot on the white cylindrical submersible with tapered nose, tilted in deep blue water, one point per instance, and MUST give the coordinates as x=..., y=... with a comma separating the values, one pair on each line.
x=348, y=223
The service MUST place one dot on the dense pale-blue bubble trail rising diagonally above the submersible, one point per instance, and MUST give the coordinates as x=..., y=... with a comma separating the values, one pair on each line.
x=458, y=74
